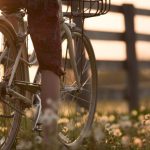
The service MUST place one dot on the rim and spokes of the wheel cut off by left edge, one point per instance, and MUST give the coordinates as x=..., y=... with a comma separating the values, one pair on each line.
x=8, y=116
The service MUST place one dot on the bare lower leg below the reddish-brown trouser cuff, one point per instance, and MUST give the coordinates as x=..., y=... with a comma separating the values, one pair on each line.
x=50, y=91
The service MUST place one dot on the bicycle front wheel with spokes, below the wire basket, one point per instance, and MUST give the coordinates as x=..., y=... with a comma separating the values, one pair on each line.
x=78, y=103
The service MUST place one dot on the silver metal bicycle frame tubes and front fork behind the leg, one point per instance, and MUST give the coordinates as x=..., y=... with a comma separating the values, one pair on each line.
x=21, y=31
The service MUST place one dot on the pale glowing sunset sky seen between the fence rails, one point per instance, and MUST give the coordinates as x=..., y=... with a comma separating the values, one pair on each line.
x=114, y=22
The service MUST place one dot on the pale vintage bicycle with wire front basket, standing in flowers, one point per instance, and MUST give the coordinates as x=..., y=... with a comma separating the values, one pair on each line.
x=78, y=84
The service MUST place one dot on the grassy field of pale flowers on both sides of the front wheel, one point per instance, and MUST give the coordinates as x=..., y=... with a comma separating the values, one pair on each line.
x=112, y=130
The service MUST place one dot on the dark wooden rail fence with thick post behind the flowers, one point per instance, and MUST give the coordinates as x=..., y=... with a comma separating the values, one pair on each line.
x=132, y=92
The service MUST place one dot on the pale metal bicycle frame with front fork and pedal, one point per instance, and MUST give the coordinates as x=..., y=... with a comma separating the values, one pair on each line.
x=23, y=35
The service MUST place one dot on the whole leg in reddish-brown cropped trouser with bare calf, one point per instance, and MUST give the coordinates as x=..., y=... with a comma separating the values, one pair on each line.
x=45, y=33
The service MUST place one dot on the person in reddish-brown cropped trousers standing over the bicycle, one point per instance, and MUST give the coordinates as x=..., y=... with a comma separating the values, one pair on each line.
x=44, y=28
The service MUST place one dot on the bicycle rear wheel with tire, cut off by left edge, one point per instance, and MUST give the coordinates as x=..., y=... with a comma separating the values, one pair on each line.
x=10, y=107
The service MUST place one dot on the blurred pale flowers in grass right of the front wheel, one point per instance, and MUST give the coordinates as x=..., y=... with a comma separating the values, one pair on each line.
x=121, y=131
